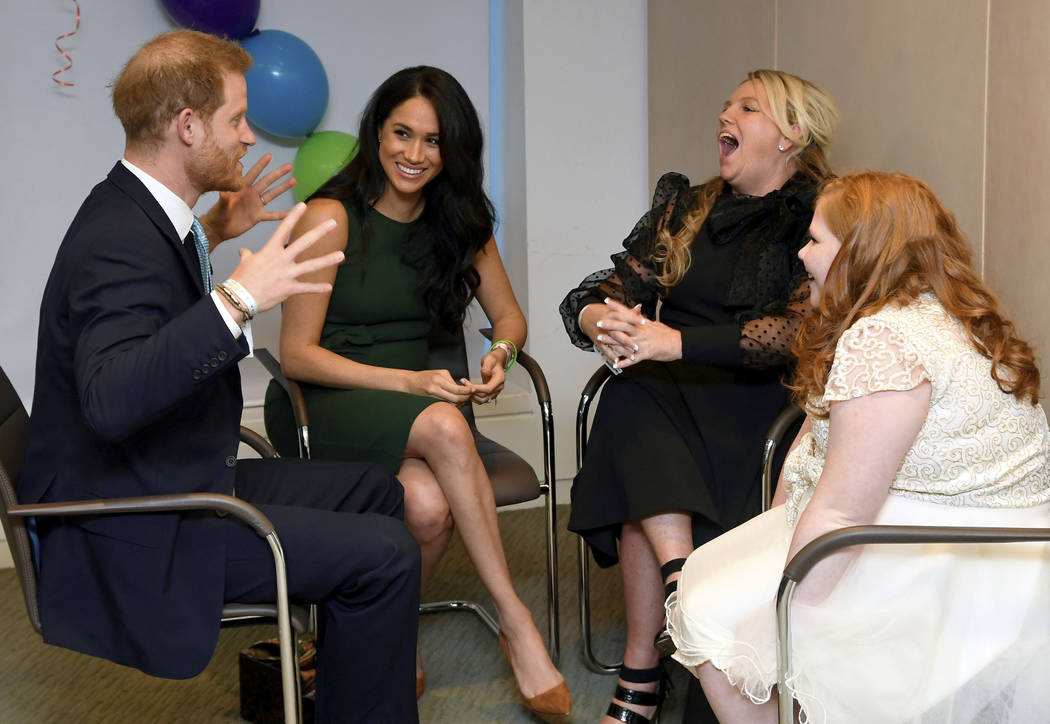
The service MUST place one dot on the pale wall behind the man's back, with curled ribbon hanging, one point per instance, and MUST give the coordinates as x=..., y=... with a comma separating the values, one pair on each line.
x=58, y=144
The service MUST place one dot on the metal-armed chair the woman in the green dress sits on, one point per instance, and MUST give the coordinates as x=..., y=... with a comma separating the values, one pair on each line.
x=514, y=481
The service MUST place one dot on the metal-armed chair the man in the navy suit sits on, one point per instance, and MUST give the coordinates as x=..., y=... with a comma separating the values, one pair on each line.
x=14, y=428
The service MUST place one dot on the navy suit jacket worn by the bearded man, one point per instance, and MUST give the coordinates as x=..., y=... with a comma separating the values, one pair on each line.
x=137, y=394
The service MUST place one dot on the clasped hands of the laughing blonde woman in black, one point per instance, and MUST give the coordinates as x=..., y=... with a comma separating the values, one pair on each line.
x=626, y=337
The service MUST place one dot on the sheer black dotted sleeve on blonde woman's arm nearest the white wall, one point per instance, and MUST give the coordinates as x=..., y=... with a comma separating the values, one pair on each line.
x=633, y=280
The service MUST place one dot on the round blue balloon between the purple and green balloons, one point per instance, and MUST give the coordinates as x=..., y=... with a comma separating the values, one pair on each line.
x=287, y=84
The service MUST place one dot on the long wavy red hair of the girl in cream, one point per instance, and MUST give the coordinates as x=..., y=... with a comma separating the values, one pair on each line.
x=898, y=242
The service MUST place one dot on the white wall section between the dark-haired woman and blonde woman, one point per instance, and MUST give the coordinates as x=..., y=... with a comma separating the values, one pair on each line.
x=586, y=171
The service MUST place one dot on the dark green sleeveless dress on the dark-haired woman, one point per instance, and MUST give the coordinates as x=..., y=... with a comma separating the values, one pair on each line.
x=376, y=316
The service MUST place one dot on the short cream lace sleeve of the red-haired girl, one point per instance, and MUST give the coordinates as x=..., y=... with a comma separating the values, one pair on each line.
x=873, y=358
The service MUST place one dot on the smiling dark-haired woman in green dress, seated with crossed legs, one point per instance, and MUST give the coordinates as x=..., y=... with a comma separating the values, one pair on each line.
x=417, y=231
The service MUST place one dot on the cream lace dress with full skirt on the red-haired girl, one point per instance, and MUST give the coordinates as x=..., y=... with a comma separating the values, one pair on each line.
x=910, y=634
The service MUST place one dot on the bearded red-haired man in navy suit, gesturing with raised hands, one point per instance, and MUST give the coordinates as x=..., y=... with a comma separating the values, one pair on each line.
x=138, y=393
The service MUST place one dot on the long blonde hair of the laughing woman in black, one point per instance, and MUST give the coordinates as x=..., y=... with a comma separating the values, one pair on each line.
x=804, y=113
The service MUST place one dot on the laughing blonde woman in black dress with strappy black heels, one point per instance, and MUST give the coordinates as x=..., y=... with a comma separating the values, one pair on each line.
x=674, y=458
